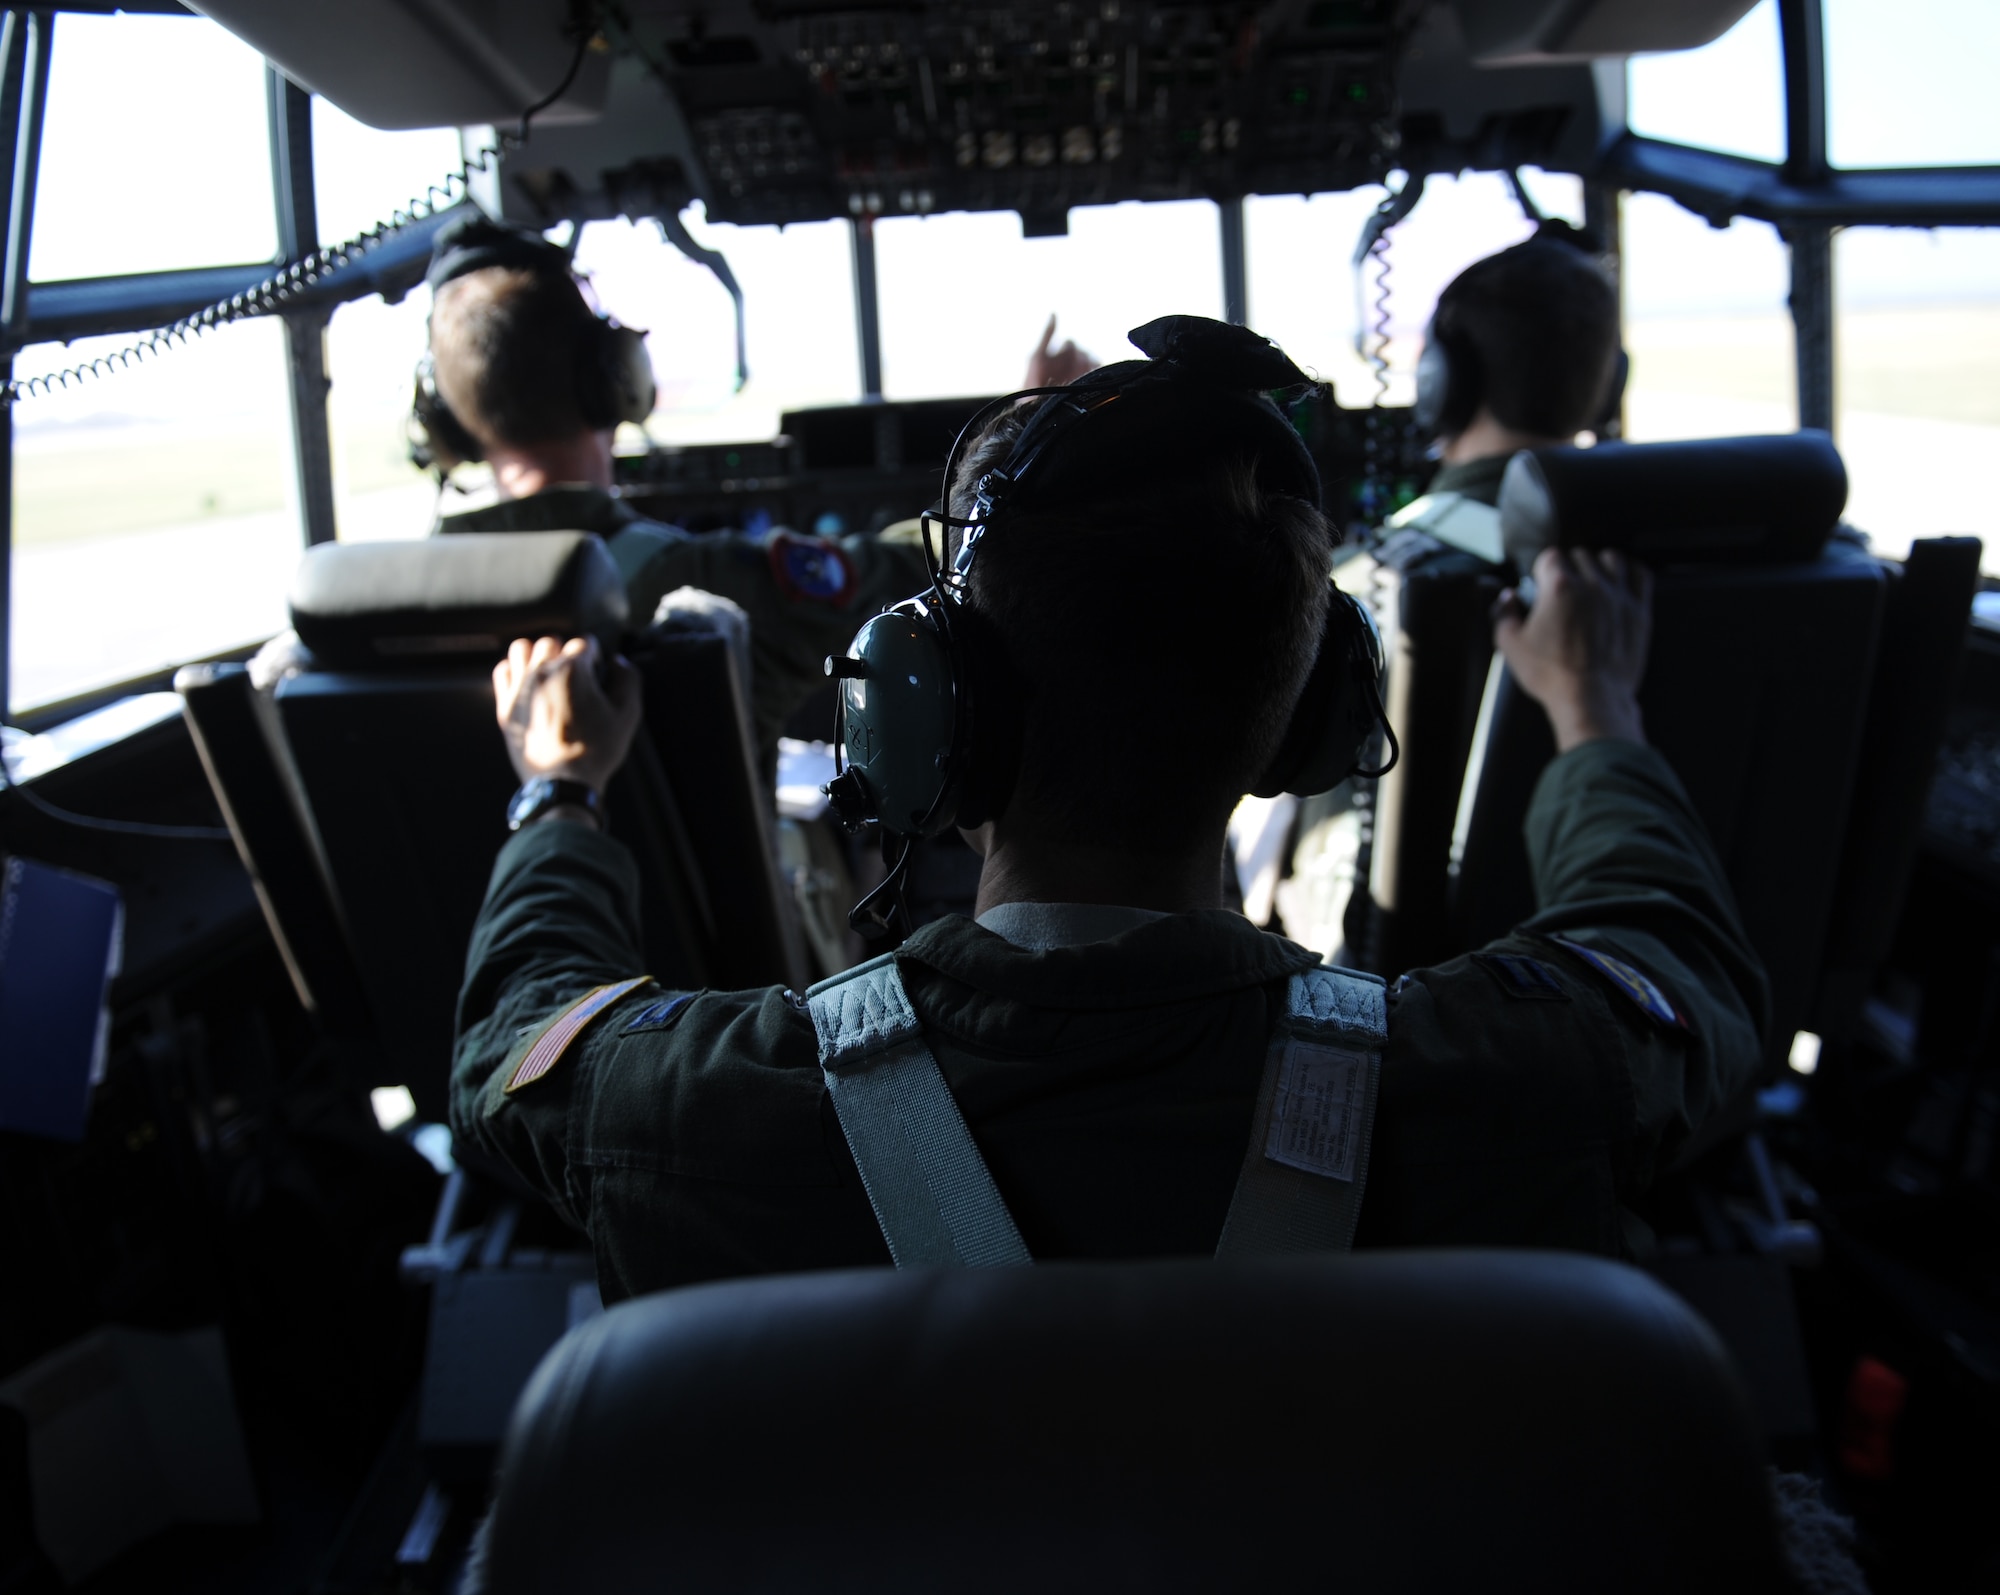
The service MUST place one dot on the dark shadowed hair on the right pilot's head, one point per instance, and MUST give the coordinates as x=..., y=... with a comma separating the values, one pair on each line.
x=1541, y=327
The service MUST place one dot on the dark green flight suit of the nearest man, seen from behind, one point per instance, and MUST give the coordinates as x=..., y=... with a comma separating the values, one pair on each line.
x=1111, y=1086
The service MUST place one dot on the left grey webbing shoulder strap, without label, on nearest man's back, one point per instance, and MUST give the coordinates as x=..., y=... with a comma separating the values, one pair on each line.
x=925, y=1178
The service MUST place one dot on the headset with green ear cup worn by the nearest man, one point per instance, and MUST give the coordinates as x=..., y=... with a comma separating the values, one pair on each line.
x=929, y=717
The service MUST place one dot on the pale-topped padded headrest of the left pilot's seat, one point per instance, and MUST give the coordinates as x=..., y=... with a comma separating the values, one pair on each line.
x=457, y=601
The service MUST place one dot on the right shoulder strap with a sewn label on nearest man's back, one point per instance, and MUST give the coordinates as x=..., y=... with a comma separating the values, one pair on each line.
x=1303, y=1178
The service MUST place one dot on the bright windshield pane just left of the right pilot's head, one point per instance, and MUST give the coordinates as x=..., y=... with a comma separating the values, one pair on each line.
x=1303, y=287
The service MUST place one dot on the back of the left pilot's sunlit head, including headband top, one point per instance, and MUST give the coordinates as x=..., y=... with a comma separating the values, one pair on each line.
x=509, y=333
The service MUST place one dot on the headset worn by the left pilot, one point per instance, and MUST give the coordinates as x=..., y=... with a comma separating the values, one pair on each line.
x=613, y=373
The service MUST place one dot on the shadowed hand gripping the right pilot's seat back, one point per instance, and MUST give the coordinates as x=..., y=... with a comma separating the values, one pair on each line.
x=1581, y=653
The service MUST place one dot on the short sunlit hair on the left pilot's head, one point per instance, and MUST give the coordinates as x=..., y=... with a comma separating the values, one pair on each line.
x=505, y=347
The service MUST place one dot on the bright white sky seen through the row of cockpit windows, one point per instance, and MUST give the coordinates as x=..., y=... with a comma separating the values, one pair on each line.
x=141, y=175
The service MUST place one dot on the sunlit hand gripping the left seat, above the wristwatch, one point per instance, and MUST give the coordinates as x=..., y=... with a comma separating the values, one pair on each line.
x=559, y=721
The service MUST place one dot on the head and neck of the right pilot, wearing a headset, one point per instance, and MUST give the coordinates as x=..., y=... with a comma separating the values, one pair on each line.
x=1521, y=353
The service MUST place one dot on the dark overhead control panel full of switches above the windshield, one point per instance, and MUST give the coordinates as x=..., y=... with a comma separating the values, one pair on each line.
x=1035, y=109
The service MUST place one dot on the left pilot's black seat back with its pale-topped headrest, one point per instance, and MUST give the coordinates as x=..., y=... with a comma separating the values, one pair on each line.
x=371, y=791
